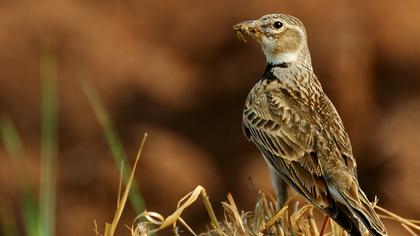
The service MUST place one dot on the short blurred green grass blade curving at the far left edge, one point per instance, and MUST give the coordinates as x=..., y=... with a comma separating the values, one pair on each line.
x=14, y=150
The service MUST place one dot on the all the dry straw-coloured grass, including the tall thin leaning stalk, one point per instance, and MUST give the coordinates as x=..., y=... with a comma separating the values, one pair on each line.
x=293, y=219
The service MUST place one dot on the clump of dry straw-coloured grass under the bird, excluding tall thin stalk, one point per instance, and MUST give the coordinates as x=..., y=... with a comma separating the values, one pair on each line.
x=293, y=219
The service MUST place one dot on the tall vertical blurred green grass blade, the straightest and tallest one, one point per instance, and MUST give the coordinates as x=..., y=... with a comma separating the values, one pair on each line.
x=49, y=140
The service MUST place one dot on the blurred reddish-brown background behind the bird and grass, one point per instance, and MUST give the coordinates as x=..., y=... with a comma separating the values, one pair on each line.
x=175, y=69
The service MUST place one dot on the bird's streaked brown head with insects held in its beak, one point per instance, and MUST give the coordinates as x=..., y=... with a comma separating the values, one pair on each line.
x=282, y=37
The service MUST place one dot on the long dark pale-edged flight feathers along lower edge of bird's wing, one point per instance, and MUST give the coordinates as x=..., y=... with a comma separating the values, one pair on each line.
x=294, y=163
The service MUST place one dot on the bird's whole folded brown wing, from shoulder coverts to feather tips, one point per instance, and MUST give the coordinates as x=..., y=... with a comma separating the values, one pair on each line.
x=287, y=140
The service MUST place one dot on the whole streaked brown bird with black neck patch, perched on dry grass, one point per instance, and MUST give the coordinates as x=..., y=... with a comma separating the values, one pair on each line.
x=298, y=131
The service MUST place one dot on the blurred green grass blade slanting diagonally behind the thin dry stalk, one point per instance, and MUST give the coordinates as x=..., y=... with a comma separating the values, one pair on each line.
x=115, y=145
